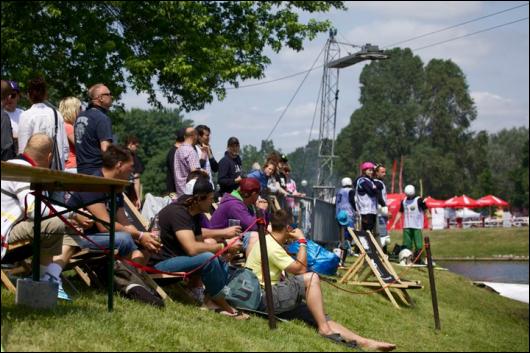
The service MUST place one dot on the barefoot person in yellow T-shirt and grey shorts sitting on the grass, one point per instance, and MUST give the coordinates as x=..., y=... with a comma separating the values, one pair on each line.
x=289, y=294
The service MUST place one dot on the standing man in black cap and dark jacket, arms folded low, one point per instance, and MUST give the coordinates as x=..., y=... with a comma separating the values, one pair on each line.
x=230, y=173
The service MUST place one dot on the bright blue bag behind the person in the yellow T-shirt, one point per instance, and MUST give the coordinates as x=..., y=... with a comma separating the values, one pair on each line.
x=319, y=260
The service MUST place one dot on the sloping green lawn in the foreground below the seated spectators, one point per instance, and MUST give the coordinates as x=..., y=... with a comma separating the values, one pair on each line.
x=472, y=319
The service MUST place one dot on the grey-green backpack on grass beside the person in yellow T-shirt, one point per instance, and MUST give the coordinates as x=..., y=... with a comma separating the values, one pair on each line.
x=243, y=289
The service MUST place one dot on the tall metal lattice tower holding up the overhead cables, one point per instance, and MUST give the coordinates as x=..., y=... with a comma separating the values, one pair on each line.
x=328, y=113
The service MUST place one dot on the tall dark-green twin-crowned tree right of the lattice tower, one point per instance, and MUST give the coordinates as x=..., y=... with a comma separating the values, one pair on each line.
x=422, y=113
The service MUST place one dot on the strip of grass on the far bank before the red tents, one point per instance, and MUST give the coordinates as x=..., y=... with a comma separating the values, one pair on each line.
x=474, y=242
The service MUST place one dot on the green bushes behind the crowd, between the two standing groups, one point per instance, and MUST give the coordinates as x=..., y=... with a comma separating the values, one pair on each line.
x=156, y=131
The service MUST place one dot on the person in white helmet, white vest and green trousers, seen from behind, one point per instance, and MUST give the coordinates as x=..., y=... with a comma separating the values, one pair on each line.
x=413, y=208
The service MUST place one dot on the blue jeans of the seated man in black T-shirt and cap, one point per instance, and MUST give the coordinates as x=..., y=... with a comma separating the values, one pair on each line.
x=214, y=275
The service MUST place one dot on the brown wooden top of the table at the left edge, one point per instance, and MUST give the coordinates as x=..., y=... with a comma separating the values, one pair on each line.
x=53, y=180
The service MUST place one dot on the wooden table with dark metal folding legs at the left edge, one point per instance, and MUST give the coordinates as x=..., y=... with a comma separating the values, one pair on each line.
x=42, y=179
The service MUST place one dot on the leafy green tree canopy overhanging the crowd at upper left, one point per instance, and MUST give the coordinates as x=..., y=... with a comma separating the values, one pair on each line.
x=188, y=50
